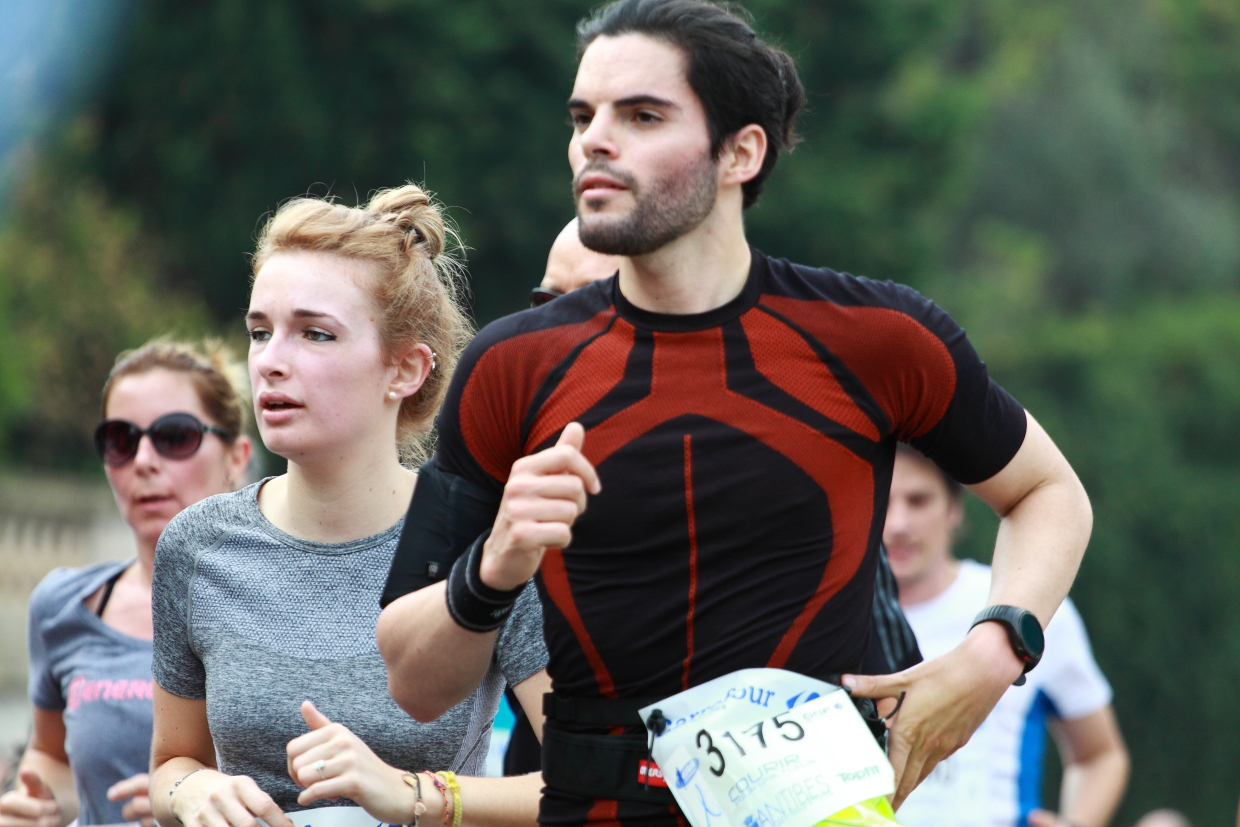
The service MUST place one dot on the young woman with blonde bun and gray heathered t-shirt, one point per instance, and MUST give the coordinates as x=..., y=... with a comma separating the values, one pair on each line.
x=271, y=695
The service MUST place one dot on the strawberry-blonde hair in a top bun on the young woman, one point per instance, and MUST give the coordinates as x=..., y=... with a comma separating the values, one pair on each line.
x=417, y=285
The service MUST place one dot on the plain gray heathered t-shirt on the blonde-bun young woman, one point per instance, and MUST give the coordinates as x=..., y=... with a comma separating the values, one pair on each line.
x=256, y=622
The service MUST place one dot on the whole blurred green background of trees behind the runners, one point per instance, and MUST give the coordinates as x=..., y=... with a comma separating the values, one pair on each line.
x=1063, y=177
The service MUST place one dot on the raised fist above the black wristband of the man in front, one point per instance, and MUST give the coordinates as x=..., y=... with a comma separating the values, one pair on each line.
x=545, y=495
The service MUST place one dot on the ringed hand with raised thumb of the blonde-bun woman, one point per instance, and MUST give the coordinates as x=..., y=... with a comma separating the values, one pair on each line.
x=330, y=762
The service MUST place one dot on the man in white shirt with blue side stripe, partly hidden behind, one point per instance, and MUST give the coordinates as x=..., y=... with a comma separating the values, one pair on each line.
x=996, y=779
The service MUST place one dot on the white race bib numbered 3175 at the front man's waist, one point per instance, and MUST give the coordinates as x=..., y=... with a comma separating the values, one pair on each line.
x=768, y=748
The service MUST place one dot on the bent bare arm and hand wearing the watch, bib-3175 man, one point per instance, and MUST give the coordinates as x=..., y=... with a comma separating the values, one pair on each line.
x=1046, y=524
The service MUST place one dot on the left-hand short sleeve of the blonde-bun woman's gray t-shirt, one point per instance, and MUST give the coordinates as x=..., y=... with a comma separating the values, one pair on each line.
x=175, y=665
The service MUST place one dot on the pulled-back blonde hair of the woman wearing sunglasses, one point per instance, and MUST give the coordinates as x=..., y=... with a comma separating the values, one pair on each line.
x=216, y=375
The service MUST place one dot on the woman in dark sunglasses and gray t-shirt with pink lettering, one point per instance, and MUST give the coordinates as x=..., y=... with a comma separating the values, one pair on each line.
x=172, y=435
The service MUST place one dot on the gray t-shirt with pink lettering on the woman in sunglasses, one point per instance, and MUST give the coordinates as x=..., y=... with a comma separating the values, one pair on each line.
x=99, y=679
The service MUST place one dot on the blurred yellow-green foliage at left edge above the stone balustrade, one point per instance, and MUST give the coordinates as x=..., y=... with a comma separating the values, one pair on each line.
x=77, y=287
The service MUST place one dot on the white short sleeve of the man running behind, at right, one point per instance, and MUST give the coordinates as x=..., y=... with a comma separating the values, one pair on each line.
x=1071, y=676
